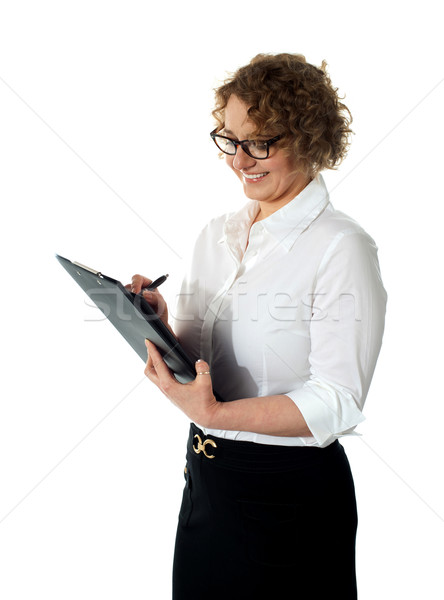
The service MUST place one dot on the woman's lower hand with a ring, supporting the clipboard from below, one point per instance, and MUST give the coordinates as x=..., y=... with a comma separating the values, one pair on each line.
x=196, y=399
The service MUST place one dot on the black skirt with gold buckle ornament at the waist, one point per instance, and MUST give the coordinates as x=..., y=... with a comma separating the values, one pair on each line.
x=260, y=521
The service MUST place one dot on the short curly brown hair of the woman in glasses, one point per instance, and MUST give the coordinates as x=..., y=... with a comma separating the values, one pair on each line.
x=288, y=96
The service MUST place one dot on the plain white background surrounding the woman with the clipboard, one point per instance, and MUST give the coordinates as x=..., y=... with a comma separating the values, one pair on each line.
x=98, y=104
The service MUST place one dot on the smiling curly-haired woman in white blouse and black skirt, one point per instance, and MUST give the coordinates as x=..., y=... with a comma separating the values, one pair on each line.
x=284, y=305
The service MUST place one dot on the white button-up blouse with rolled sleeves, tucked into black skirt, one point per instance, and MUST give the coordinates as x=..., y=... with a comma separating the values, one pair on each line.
x=293, y=305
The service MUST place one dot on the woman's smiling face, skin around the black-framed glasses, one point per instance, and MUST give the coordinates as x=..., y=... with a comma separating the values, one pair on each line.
x=273, y=181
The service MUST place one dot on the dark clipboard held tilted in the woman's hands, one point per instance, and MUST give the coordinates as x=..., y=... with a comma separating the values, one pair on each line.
x=133, y=317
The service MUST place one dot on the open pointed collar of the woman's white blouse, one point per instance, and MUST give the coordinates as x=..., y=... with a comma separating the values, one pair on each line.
x=286, y=224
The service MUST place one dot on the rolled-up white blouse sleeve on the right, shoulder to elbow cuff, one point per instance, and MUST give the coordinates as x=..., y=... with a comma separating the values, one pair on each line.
x=346, y=330
